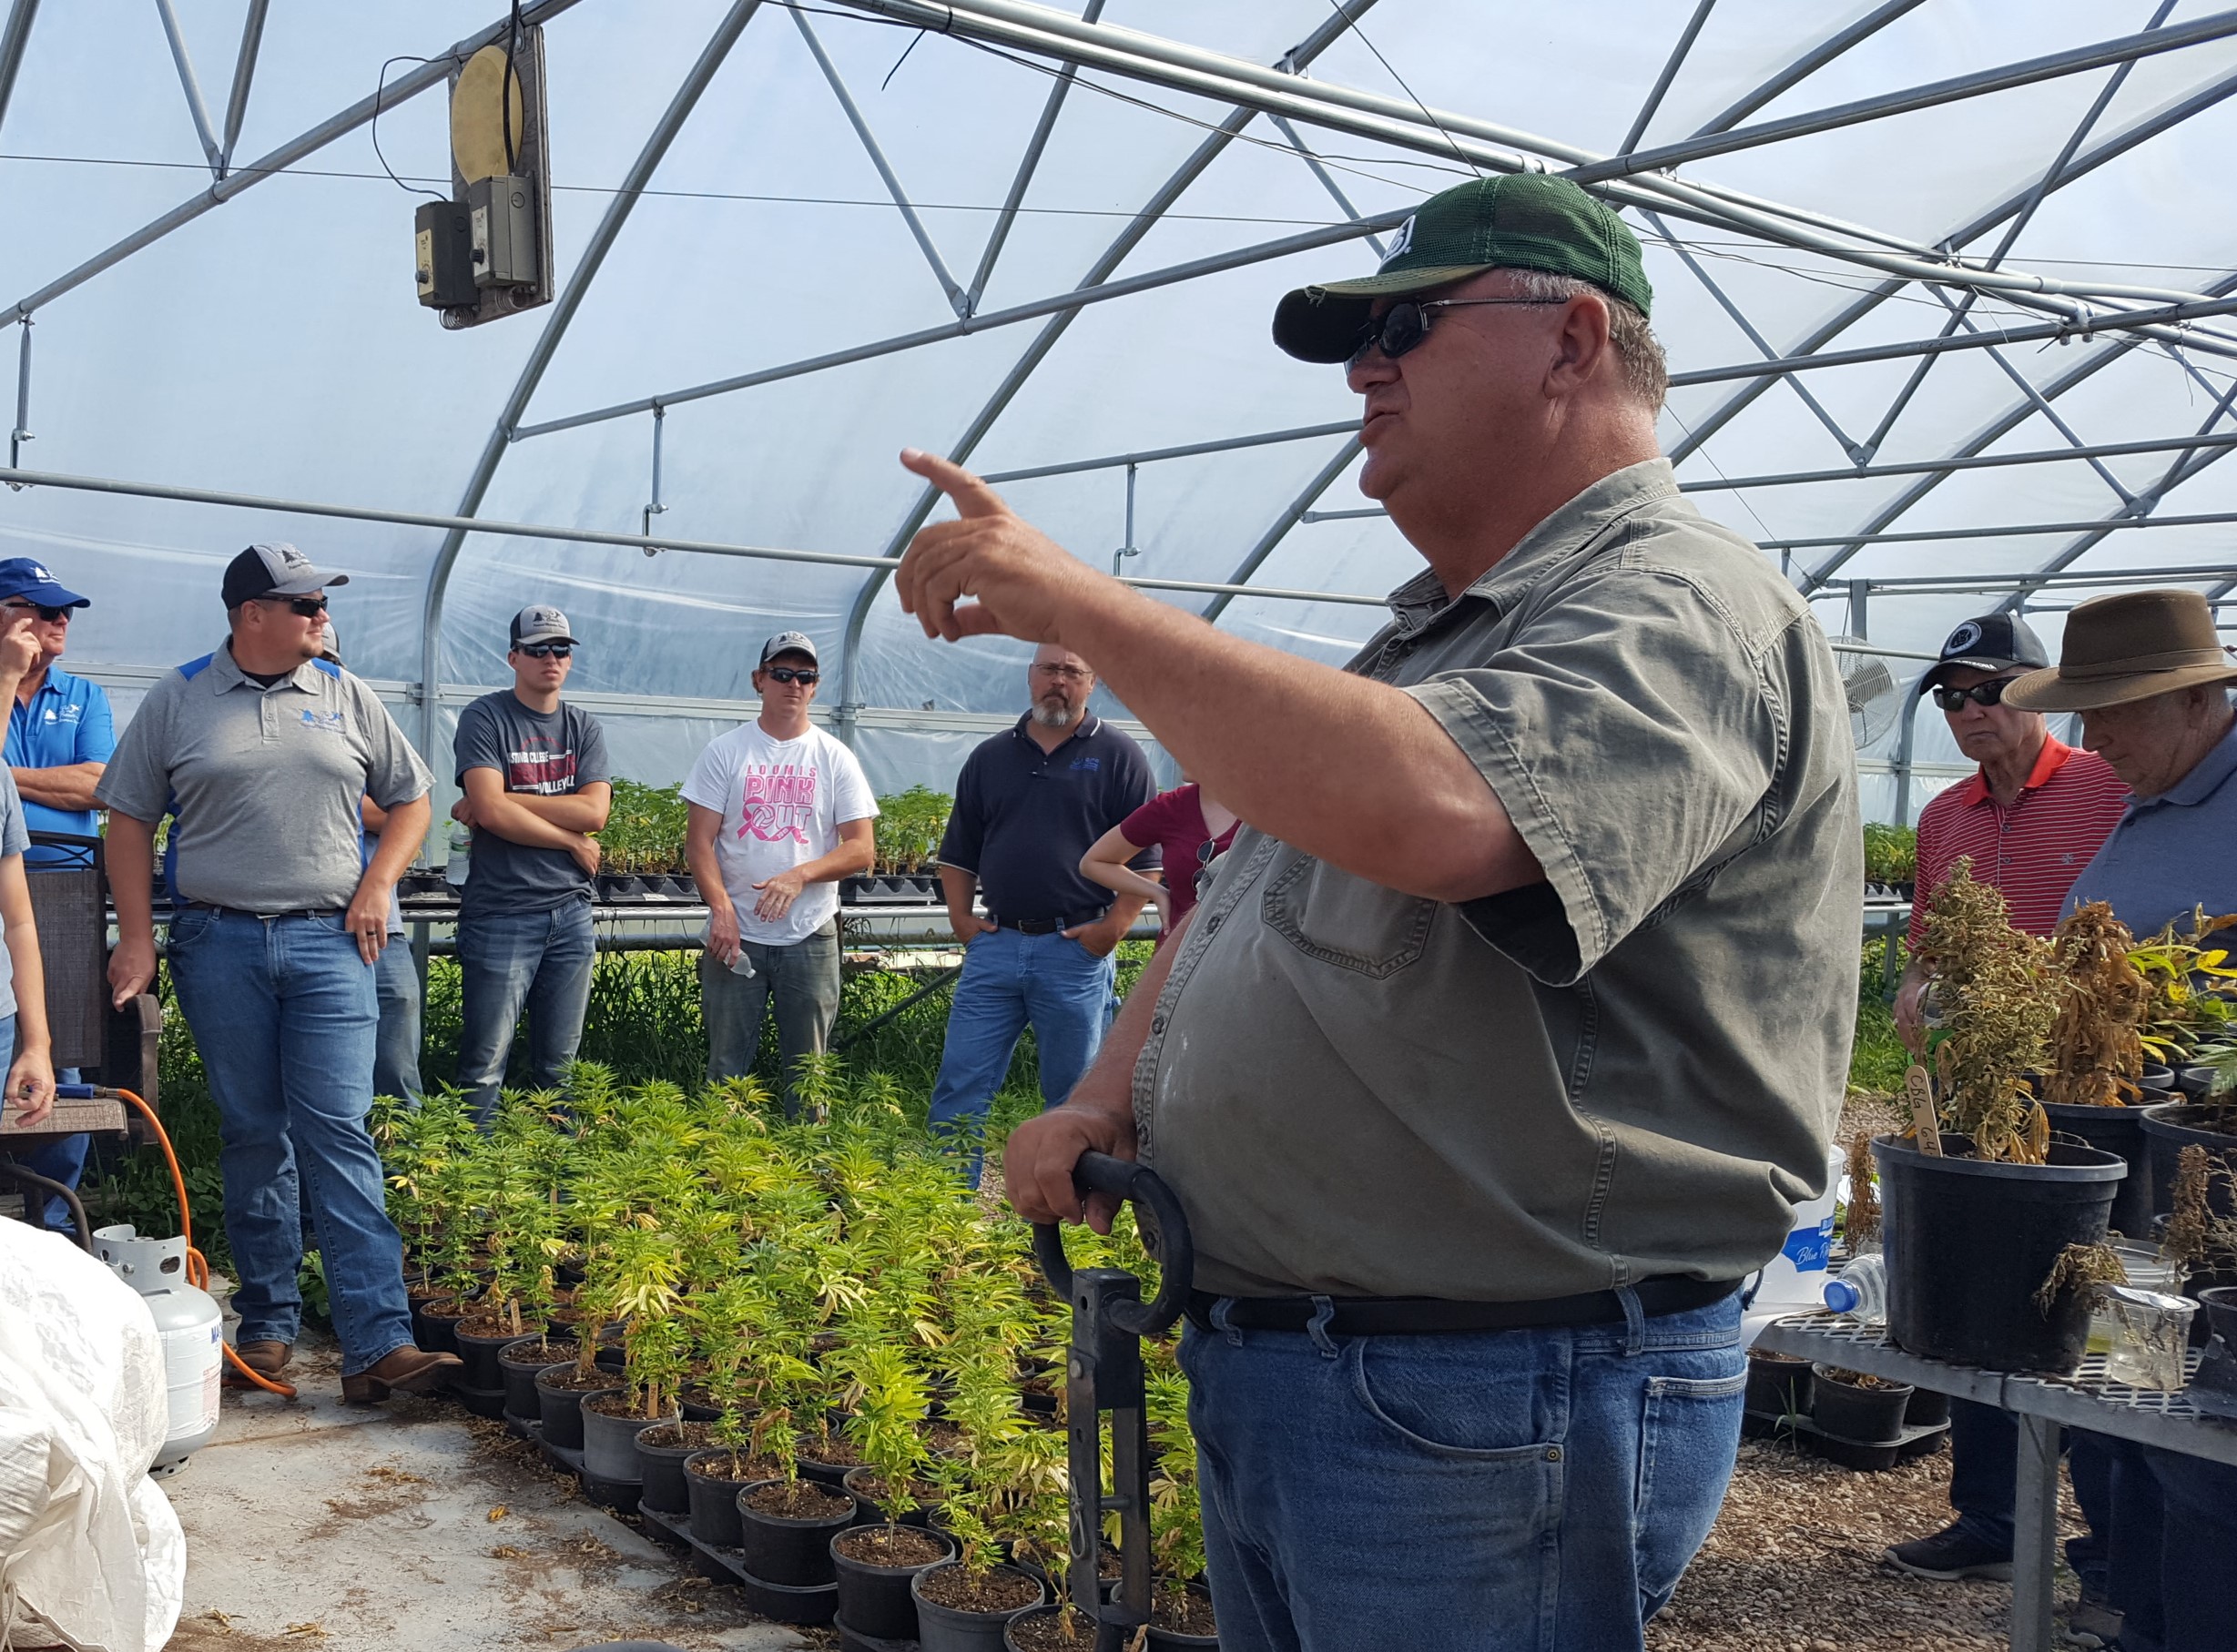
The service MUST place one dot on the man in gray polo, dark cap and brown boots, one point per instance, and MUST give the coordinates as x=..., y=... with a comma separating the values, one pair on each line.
x=261, y=754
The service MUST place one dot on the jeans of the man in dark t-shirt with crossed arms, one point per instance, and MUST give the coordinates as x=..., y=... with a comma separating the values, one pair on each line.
x=511, y=962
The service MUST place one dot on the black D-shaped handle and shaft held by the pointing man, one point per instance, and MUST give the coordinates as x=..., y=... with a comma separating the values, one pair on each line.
x=1104, y=1374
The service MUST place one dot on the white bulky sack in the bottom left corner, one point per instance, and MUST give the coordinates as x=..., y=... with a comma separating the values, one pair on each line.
x=88, y=1544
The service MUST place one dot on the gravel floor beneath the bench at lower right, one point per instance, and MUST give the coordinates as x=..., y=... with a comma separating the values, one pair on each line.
x=1795, y=1566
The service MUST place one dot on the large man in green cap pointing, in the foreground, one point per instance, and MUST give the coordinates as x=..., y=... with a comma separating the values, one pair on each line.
x=1516, y=1023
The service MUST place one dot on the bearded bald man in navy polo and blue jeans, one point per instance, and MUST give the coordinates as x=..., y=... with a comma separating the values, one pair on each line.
x=1028, y=806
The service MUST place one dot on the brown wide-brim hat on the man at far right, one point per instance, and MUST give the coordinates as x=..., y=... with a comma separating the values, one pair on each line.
x=2129, y=647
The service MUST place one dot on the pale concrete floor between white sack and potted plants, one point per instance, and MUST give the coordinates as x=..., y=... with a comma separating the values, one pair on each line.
x=325, y=1528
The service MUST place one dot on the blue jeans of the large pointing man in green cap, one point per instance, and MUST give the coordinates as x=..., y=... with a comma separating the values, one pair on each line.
x=1518, y=1490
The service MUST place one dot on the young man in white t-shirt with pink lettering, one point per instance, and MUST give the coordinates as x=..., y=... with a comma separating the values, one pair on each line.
x=780, y=815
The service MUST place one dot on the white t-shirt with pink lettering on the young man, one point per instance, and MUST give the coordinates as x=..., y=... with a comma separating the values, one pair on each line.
x=782, y=804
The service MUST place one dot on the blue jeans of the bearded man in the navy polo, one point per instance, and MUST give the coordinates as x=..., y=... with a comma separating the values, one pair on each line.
x=1012, y=980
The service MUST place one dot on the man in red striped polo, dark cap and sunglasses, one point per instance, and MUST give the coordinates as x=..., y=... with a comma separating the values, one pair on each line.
x=2030, y=819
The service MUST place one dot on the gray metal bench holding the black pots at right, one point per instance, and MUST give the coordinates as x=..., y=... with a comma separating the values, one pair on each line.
x=2041, y=1405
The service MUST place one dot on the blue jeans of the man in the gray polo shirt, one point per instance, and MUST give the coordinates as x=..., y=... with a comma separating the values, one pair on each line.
x=283, y=1014
